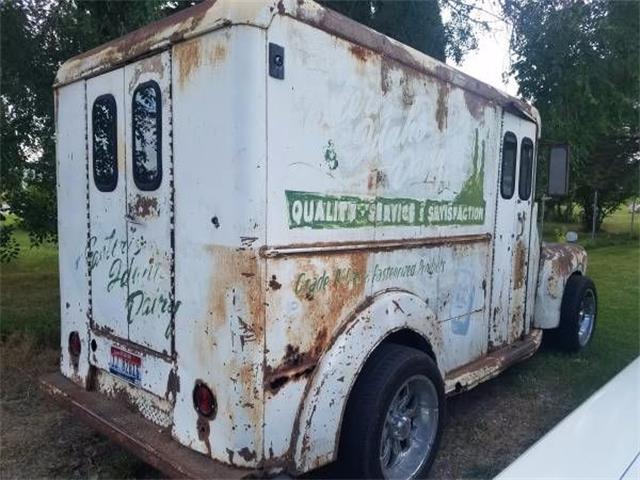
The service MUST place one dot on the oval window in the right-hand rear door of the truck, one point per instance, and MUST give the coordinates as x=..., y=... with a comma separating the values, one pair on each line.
x=146, y=111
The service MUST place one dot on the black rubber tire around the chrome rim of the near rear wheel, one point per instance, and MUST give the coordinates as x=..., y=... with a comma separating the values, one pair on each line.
x=386, y=371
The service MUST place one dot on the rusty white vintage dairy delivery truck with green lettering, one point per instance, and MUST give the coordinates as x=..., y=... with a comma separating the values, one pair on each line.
x=286, y=238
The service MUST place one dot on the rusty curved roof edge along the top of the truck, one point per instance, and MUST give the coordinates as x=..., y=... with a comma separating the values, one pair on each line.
x=216, y=14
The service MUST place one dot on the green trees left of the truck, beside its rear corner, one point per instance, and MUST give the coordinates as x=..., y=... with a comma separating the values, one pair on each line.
x=36, y=37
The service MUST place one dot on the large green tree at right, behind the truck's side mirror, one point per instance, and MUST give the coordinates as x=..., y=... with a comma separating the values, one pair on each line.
x=578, y=61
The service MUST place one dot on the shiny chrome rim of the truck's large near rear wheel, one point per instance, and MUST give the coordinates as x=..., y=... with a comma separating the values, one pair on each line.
x=410, y=428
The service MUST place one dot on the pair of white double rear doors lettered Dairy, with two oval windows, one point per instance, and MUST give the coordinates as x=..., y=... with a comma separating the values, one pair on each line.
x=130, y=249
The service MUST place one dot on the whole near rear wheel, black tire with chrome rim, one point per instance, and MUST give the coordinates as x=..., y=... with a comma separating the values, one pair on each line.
x=394, y=416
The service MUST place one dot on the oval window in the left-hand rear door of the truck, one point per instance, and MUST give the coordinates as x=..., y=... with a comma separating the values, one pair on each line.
x=105, y=148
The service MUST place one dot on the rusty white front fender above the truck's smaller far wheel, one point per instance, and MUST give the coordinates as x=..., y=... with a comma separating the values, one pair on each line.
x=558, y=261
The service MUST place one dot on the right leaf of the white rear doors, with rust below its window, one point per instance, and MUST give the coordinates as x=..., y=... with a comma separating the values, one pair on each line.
x=149, y=203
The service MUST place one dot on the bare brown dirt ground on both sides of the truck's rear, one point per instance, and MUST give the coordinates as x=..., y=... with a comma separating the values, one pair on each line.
x=487, y=427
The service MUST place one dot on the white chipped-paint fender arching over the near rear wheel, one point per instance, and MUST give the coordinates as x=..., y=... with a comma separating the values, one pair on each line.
x=316, y=433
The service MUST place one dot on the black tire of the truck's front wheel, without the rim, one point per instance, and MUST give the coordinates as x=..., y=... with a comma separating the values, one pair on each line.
x=576, y=292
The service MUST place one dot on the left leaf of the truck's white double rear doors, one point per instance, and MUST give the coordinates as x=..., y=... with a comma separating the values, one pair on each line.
x=107, y=242
